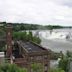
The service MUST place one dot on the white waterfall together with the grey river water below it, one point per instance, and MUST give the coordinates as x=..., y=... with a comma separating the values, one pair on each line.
x=57, y=40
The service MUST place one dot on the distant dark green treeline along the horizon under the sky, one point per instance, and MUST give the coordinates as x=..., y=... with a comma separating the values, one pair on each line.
x=26, y=26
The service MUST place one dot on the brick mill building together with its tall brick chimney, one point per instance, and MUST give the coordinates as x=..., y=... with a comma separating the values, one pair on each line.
x=25, y=54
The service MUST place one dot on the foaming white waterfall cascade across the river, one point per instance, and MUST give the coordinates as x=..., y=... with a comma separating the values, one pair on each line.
x=54, y=35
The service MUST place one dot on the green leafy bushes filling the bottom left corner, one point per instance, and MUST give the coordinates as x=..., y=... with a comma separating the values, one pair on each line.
x=11, y=68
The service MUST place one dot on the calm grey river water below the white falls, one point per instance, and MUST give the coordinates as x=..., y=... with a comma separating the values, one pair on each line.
x=57, y=45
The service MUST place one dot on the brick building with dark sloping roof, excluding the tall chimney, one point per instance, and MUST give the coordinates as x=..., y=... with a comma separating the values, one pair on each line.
x=27, y=53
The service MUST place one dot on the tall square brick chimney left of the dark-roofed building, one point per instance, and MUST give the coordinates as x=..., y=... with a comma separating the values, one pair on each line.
x=9, y=40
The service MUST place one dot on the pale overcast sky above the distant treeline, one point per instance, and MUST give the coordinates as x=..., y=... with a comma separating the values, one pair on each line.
x=44, y=12
